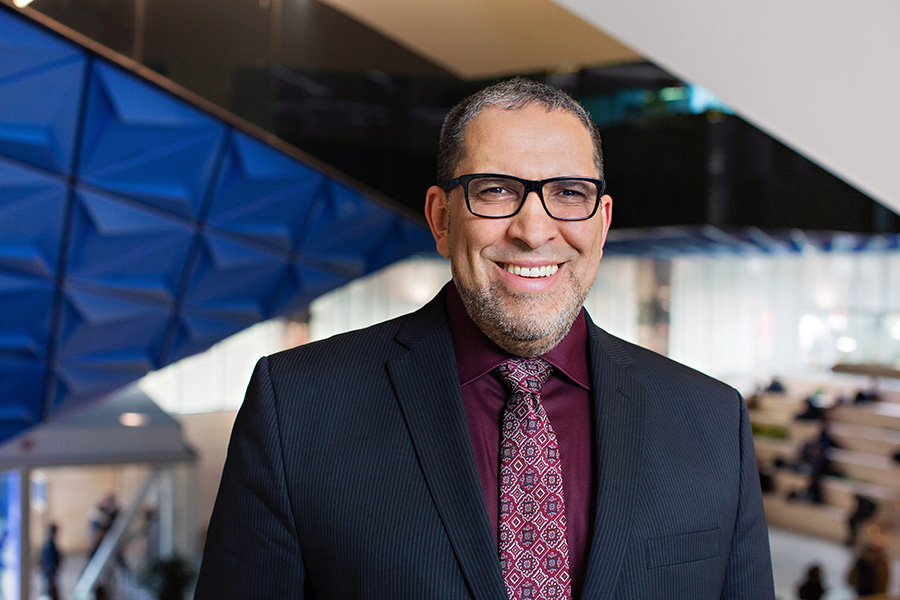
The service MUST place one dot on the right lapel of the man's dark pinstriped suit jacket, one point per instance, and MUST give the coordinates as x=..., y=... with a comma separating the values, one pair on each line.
x=619, y=402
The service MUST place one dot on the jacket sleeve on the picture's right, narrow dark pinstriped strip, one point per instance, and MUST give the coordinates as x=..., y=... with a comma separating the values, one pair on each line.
x=749, y=571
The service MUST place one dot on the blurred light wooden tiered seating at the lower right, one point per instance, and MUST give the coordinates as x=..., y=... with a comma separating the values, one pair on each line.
x=866, y=436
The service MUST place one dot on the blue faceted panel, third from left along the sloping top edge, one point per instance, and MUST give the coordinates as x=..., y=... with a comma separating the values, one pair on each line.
x=264, y=194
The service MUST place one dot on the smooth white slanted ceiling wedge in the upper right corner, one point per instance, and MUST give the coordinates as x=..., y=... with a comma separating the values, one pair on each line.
x=818, y=75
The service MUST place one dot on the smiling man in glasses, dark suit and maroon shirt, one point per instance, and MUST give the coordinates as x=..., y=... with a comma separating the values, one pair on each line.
x=494, y=444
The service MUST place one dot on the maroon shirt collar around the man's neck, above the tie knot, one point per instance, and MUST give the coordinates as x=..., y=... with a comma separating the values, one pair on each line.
x=477, y=355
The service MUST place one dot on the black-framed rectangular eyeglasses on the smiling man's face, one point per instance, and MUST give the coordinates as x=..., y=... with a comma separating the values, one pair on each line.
x=494, y=196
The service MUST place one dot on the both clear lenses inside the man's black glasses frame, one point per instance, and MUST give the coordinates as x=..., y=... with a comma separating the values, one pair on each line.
x=501, y=197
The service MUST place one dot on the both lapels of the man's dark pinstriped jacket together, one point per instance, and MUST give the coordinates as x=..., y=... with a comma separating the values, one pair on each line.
x=427, y=386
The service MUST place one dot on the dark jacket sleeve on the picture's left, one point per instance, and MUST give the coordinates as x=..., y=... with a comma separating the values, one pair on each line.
x=252, y=549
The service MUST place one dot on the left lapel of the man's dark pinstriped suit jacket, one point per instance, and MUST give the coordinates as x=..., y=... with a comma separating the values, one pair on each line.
x=427, y=386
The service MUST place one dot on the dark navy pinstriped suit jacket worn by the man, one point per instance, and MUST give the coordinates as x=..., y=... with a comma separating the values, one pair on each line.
x=350, y=474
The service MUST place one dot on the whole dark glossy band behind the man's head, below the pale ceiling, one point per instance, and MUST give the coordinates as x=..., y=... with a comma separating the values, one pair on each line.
x=371, y=108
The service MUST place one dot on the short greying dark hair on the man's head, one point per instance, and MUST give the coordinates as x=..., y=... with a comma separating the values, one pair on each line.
x=509, y=95
